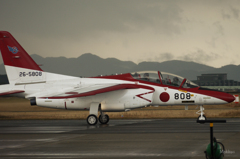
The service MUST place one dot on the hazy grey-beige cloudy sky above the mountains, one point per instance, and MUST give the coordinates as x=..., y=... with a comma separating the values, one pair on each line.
x=203, y=31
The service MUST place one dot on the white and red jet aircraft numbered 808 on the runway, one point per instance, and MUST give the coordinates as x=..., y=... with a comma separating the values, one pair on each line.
x=105, y=94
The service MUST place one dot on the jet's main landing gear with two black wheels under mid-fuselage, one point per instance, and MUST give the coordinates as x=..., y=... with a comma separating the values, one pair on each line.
x=92, y=119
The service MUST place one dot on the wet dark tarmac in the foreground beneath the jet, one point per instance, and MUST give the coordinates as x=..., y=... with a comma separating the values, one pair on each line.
x=147, y=138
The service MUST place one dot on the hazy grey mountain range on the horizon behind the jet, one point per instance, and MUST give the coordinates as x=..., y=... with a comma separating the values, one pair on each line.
x=88, y=65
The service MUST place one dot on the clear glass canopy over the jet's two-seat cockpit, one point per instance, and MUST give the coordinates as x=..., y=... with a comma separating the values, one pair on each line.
x=164, y=78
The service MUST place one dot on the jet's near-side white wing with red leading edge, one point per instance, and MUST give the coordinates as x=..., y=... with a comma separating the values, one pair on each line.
x=97, y=89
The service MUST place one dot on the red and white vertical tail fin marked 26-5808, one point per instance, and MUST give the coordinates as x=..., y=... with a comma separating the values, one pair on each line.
x=20, y=67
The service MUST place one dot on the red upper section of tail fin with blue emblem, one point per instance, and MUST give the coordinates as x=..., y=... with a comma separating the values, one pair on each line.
x=11, y=49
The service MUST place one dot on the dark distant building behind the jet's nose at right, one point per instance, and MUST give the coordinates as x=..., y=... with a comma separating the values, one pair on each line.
x=218, y=81
